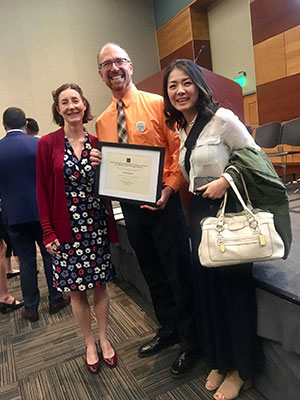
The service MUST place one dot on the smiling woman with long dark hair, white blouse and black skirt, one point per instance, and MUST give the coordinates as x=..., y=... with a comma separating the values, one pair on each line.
x=225, y=297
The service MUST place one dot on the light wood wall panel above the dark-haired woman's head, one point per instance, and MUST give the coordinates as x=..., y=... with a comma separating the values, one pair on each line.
x=175, y=33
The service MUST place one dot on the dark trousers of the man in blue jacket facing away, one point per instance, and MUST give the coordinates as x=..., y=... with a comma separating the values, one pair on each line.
x=23, y=238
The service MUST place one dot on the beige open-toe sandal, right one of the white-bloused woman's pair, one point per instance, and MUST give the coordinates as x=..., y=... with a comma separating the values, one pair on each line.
x=231, y=387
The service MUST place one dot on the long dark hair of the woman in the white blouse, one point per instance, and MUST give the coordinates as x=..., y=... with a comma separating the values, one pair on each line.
x=204, y=105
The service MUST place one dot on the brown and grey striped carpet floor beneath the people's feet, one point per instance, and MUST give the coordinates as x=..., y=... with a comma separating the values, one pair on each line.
x=45, y=360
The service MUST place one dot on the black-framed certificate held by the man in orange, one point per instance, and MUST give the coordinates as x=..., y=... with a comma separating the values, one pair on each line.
x=130, y=173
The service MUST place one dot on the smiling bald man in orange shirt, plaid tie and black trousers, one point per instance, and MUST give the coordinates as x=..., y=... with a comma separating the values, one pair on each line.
x=157, y=234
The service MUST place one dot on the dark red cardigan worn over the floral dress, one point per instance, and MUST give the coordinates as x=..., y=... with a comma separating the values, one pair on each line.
x=51, y=192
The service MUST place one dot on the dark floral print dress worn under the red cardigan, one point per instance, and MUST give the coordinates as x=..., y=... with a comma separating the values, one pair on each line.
x=84, y=263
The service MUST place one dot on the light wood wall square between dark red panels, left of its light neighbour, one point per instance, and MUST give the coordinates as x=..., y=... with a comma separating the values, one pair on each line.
x=269, y=58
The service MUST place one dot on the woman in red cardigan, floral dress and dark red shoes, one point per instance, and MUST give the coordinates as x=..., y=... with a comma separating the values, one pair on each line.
x=74, y=222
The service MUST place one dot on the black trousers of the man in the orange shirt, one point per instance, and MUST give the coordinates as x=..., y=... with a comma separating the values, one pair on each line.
x=160, y=241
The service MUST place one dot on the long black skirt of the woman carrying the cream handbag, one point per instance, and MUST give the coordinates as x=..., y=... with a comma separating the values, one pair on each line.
x=225, y=304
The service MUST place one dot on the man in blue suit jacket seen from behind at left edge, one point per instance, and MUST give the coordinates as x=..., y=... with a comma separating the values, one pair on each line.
x=20, y=212
